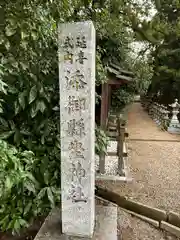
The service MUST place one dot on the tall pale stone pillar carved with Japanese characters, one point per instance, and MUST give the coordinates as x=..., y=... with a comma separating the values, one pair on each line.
x=77, y=115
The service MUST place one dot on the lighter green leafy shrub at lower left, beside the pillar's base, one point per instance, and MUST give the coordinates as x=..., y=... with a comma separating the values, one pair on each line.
x=22, y=195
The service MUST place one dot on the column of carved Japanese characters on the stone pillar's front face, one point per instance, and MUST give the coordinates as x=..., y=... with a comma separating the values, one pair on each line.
x=75, y=126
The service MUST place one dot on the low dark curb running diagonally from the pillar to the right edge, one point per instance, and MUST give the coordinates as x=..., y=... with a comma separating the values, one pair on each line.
x=169, y=221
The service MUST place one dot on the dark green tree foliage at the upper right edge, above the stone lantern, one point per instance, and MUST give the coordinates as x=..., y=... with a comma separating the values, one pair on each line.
x=166, y=78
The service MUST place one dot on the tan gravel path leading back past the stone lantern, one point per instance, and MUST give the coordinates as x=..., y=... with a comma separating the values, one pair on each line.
x=154, y=165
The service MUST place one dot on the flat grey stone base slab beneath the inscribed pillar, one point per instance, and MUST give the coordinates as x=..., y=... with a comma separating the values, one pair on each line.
x=105, y=226
